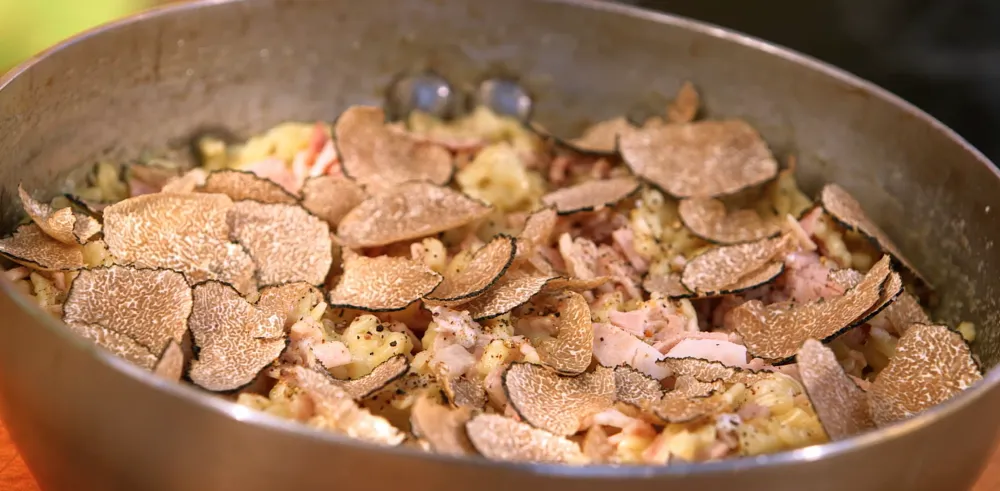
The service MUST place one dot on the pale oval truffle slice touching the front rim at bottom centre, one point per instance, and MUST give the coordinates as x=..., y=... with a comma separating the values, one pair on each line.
x=501, y=438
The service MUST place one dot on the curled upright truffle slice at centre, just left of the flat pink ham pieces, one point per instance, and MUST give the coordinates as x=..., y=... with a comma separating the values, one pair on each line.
x=571, y=351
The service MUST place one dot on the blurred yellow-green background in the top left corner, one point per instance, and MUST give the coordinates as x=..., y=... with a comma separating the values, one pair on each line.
x=30, y=26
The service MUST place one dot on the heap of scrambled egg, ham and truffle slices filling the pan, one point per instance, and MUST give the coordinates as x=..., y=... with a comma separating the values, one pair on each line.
x=643, y=294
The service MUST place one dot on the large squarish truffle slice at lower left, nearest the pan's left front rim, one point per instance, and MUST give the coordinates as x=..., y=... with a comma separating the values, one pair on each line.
x=149, y=306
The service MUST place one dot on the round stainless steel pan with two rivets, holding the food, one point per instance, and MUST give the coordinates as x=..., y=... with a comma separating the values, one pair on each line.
x=85, y=420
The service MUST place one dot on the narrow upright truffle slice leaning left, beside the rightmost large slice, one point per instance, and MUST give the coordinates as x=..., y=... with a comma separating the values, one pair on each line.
x=841, y=405
